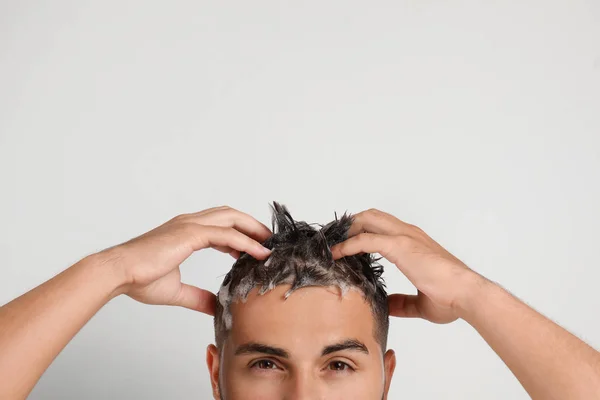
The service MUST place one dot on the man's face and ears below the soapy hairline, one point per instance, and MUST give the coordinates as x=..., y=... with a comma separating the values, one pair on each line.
x=288, y=353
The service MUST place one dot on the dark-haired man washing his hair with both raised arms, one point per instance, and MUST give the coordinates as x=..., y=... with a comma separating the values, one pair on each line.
x=289, y=339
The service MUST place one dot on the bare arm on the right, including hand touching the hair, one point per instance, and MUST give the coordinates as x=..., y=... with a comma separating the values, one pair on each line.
x=549, y=362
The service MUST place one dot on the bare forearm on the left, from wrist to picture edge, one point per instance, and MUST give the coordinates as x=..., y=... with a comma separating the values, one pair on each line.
x=35, y=327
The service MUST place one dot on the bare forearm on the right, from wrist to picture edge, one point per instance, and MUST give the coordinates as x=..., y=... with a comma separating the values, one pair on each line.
x=549, y=362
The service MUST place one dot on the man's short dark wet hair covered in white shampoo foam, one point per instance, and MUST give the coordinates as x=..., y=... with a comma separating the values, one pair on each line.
x=301, y=256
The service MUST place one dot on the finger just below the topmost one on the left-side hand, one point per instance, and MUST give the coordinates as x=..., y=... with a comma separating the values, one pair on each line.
x=202, y=236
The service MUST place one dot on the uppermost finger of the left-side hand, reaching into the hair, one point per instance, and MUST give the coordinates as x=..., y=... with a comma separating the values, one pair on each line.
x=229, y=217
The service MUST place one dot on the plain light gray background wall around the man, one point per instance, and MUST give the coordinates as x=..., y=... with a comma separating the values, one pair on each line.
x=478, y=121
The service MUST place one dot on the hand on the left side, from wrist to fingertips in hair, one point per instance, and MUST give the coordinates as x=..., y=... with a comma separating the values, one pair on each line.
x=150, y=263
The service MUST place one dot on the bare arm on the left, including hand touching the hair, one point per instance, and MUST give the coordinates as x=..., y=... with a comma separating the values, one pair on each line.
x=35, y=327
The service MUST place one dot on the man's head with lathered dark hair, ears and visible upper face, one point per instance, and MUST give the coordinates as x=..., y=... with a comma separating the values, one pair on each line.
x=299, y=323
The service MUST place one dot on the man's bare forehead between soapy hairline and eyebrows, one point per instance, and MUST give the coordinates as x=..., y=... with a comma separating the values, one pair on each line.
x=307, y=320
